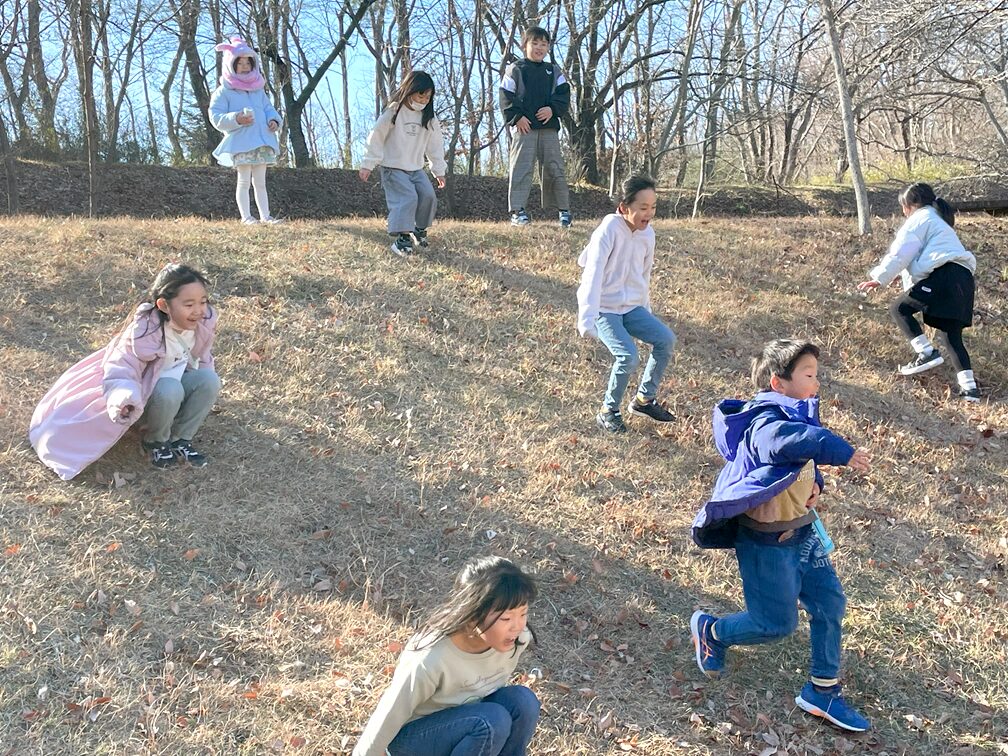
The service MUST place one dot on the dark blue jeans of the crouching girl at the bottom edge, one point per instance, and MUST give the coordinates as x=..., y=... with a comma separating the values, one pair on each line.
x=500, y=725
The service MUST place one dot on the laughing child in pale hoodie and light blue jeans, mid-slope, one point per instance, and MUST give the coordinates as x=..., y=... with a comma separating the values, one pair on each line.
x=614, y=304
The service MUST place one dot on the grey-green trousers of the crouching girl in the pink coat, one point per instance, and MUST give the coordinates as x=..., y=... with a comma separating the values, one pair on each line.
x=177, y=409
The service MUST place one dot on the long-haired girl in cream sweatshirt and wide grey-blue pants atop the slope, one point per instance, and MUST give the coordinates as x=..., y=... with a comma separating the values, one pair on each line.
x=407, y=133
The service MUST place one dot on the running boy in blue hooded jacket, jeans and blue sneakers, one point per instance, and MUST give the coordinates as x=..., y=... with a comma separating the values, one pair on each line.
x=763, y=507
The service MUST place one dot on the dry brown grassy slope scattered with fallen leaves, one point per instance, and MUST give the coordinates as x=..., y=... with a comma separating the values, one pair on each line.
x=383, y=420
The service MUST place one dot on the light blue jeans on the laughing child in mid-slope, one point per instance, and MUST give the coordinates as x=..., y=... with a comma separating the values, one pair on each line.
x=617, y=332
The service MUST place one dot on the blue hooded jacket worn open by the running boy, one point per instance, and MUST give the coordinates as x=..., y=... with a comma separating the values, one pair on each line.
x=766, y=442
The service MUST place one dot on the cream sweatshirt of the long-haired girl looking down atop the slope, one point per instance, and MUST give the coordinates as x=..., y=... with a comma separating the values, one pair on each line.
x=405, y=145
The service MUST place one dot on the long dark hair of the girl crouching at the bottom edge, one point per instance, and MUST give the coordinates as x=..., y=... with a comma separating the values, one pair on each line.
x=484, y=589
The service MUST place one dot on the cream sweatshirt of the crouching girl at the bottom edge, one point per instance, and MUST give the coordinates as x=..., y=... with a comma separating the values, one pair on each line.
x=437, y=677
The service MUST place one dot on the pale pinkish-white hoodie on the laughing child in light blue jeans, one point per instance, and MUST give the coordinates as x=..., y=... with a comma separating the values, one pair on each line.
x=617, y=276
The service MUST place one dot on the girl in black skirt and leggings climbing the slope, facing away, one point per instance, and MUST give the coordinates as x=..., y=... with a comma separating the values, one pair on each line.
x=937, y=273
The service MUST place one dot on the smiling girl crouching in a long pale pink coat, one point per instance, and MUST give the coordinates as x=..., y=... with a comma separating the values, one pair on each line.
x=159, y=369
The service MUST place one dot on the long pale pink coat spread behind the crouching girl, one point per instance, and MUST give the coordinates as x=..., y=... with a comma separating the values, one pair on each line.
x=79, y=419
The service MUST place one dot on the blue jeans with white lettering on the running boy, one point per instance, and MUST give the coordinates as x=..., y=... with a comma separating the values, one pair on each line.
x=776, y=577
